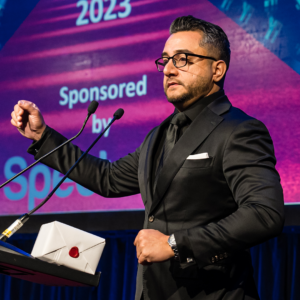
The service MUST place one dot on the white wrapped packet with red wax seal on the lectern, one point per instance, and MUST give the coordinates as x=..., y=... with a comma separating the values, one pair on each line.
x=55, y=240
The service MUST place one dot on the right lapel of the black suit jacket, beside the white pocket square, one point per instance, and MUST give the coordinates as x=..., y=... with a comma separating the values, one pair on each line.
x=197, y=132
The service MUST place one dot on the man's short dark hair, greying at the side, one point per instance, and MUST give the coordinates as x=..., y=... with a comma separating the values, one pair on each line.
x=213, y=35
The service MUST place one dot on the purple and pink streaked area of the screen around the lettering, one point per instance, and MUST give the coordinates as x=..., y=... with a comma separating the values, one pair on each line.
x=48, y=51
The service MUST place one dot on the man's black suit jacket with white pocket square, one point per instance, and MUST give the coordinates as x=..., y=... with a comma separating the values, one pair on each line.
x=216, y=207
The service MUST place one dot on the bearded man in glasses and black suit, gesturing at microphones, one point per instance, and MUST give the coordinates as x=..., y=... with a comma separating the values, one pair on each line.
x=206, y=175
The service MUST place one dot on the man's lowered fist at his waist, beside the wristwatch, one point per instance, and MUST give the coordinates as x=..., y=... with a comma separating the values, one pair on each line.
x=152, y=246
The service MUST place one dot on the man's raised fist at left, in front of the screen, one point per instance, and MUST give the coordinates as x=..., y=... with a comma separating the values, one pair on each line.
x=28, y=120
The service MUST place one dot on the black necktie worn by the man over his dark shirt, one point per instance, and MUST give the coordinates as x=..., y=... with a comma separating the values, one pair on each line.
x=177, y=122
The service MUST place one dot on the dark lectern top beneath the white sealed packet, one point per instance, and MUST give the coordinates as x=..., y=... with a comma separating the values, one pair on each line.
x=19, y=264
